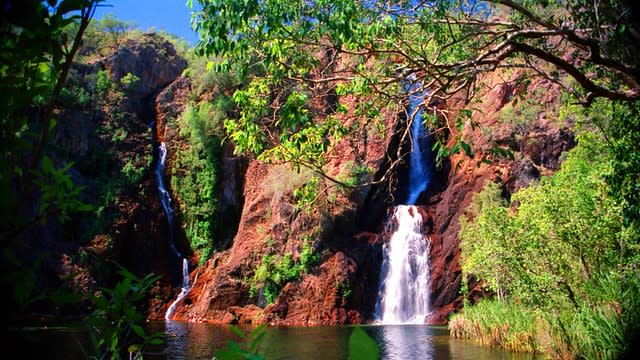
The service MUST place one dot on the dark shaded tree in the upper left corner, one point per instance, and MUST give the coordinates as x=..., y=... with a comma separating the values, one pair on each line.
x=35, y=58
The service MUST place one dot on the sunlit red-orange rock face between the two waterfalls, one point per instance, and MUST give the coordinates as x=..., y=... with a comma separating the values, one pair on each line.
x=271, y=225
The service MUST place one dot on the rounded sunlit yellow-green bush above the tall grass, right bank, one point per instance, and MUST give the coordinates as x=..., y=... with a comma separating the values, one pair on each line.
x=557, y=235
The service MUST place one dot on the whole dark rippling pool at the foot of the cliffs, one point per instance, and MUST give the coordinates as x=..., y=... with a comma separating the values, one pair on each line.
x=193, y=341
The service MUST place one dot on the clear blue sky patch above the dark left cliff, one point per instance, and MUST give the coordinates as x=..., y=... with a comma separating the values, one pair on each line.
x=172, y=16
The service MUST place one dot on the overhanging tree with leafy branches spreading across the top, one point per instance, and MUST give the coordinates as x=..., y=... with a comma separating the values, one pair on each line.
x=371, y=49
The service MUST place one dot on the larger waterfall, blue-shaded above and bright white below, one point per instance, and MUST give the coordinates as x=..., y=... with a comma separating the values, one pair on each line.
x=403, y=294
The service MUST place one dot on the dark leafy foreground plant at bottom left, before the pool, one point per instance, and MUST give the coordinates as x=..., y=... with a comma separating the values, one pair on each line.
x=116, y=325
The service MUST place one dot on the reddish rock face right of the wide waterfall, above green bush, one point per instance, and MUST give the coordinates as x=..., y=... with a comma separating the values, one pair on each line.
x=544, y=144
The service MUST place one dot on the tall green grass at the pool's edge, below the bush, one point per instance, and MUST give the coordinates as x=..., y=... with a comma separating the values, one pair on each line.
x=606, y=325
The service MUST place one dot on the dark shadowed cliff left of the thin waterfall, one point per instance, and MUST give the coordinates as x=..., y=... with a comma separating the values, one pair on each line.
x=111, y=138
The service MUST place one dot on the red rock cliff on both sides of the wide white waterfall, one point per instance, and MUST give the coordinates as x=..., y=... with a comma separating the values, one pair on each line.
x=342, y=287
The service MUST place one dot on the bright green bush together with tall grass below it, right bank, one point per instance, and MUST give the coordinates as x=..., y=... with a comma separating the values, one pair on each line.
x=561, y=260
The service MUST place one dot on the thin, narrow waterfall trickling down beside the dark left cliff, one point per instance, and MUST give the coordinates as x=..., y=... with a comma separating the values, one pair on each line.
x=165, y=199
